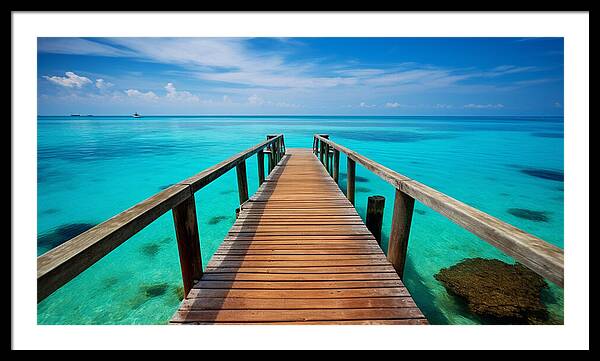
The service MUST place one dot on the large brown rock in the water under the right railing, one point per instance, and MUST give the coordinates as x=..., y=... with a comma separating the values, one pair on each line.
x=497, y=291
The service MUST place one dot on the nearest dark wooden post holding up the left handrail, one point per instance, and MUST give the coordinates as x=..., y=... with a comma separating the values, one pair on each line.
x=188, y=242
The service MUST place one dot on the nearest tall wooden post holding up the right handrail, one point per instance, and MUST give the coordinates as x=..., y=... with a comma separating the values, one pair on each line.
x=401, y=220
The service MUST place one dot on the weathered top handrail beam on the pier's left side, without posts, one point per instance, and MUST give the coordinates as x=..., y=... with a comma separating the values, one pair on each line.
x=64, y=262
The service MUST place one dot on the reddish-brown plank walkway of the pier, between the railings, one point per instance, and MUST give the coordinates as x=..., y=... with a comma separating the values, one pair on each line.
x=299, y=253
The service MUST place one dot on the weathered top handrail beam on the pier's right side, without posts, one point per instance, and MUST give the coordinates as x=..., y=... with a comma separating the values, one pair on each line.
x=545, y=259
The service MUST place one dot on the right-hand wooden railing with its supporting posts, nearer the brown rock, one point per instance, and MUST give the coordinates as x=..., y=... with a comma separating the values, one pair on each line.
x=540, y=256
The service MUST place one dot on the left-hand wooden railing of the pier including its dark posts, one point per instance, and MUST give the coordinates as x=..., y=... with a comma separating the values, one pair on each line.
x=63, y=263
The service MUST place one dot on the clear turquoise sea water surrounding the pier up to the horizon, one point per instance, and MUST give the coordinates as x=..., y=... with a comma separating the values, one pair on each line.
x=91, y=168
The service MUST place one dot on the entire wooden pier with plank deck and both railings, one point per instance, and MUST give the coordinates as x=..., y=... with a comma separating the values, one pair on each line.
x=298, y=252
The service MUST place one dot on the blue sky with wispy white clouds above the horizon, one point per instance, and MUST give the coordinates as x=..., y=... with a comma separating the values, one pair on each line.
x=330, y=76
